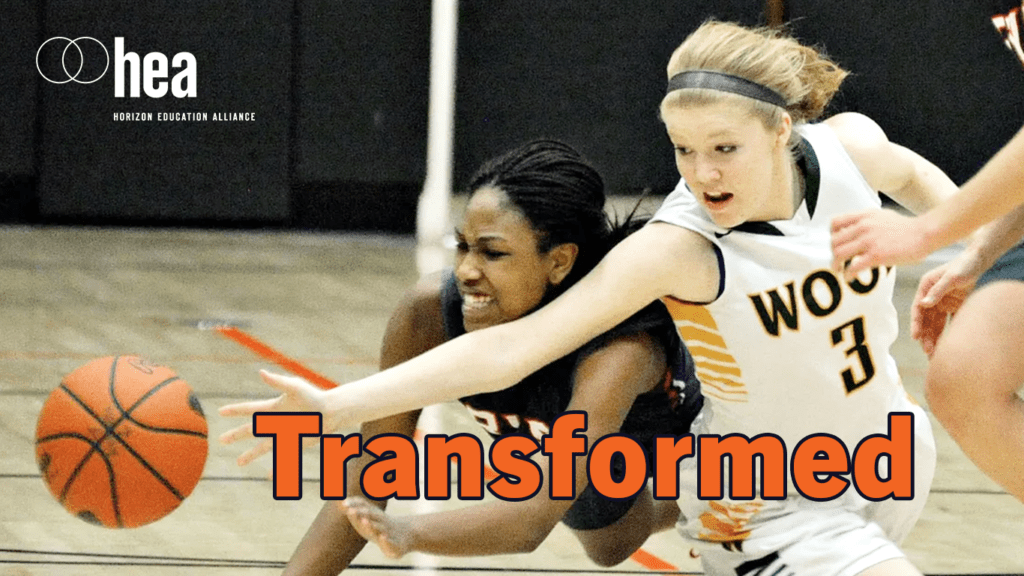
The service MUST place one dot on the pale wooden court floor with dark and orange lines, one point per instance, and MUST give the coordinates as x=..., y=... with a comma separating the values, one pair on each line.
x=70, y=295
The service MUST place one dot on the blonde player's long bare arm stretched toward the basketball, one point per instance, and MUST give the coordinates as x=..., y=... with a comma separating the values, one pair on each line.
x=657, y=261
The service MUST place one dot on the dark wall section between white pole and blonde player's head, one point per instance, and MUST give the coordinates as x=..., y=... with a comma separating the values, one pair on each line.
x=590, y=77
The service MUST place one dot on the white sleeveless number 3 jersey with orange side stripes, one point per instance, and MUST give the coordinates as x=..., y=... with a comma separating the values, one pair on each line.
x=789, y=348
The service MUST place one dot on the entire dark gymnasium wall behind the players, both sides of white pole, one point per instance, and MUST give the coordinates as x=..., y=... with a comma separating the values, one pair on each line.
x=339, y=90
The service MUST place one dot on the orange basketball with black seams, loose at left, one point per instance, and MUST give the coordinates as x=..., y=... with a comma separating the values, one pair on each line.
x=121, y=443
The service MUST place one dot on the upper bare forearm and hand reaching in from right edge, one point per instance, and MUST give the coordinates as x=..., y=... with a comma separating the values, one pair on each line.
x=884, y=238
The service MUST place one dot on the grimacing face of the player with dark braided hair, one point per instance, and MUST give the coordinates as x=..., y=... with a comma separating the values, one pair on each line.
x=501, y=274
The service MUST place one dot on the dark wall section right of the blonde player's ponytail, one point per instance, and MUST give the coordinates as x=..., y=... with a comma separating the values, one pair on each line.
x=933, y=74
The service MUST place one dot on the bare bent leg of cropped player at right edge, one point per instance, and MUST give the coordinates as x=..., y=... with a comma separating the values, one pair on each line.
x=973, y=380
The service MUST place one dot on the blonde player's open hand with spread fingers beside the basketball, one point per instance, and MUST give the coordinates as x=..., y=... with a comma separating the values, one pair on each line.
x=297, y=395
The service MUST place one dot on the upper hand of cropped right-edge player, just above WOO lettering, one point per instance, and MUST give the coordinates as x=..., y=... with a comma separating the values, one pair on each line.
x=876, y=238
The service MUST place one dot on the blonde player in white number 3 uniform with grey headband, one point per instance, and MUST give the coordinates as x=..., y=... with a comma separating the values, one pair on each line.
x=741, y=255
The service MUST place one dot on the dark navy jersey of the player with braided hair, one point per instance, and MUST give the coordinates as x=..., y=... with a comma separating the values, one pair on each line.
x=531, y=406
